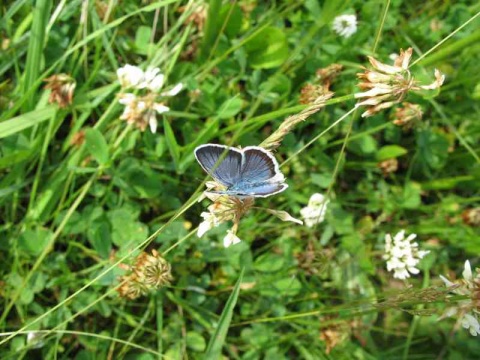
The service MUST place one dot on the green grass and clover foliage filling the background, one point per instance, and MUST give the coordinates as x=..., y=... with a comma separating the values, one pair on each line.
x=73, y=213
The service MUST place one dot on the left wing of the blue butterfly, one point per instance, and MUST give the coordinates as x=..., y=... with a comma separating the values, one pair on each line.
x=224, y=164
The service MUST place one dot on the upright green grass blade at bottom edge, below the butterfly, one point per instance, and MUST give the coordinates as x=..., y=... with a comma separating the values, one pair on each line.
x=214, y=349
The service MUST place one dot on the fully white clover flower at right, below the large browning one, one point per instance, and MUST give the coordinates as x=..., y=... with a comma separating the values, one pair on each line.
x=402, y=255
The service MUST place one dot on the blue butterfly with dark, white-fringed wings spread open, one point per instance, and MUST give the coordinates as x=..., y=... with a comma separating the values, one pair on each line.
x=252, y=171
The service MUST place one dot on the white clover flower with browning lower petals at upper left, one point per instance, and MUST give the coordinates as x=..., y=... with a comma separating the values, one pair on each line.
x=142, y=110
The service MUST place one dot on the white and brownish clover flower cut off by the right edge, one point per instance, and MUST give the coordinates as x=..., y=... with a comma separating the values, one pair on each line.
x=466, y=310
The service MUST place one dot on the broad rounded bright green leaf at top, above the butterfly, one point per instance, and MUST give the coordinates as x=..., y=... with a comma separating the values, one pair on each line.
x=267, y=49
